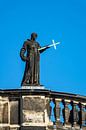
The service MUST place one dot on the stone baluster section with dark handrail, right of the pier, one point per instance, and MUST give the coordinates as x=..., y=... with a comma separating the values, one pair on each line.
x=70, y=108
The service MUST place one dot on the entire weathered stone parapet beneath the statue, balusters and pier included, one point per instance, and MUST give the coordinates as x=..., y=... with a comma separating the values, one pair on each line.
x=41, y=109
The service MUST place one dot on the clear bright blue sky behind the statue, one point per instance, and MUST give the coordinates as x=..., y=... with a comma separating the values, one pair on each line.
x=63, y=69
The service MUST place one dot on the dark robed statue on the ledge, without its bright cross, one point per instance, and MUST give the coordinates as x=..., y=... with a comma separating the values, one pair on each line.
x=30, y=53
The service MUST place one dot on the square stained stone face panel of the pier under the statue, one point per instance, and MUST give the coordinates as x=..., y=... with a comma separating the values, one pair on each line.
x=33, y=109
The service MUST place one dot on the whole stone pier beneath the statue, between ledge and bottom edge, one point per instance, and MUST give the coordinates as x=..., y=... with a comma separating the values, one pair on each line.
x=34, y=112
